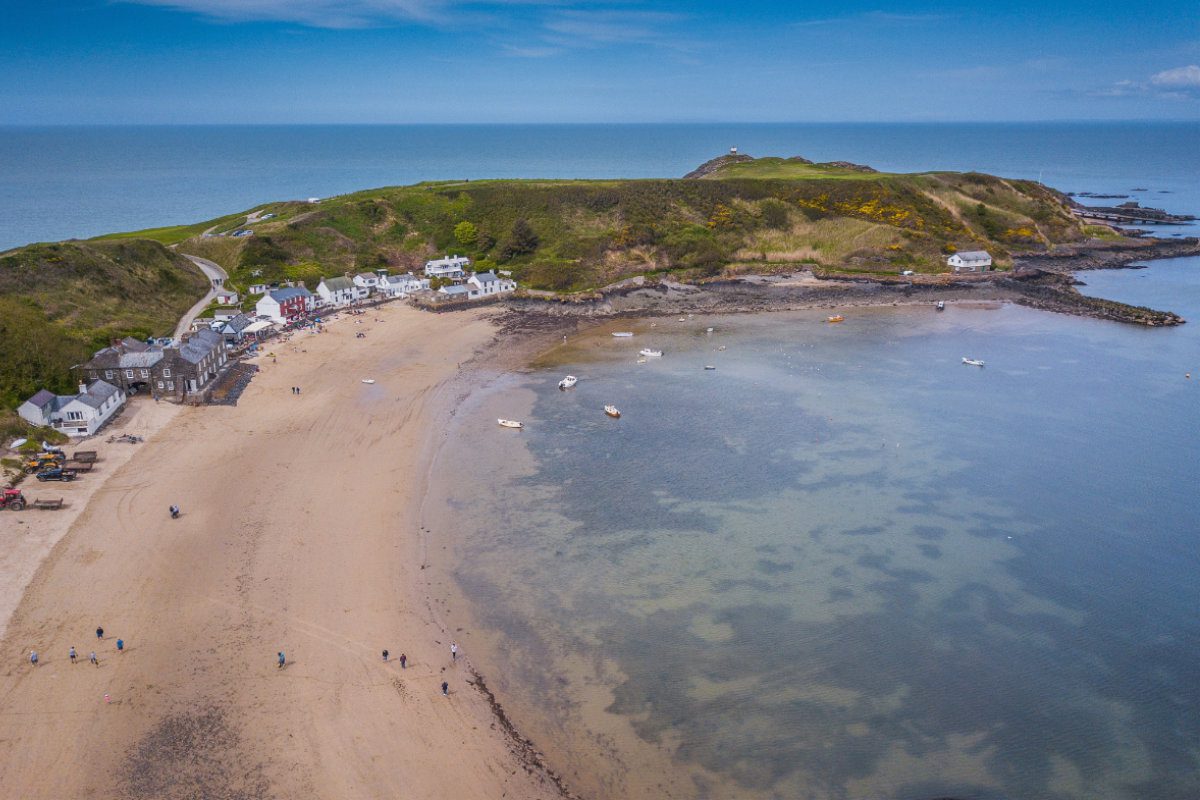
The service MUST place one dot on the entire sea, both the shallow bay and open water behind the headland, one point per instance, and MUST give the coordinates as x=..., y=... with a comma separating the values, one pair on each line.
x=839, y=566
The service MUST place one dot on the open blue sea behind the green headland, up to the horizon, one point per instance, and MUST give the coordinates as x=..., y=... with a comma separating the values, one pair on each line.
x=64, y=183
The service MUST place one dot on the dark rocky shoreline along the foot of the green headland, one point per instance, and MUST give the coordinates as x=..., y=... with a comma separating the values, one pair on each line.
x=1041, y=281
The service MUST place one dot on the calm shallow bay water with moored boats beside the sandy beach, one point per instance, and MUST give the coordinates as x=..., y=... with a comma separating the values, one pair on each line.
x=844, y=564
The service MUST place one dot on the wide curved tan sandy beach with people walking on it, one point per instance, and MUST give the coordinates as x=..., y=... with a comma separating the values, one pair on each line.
x=299, y=534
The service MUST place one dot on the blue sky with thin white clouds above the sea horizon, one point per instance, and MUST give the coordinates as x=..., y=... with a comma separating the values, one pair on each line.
x=165, y=62
